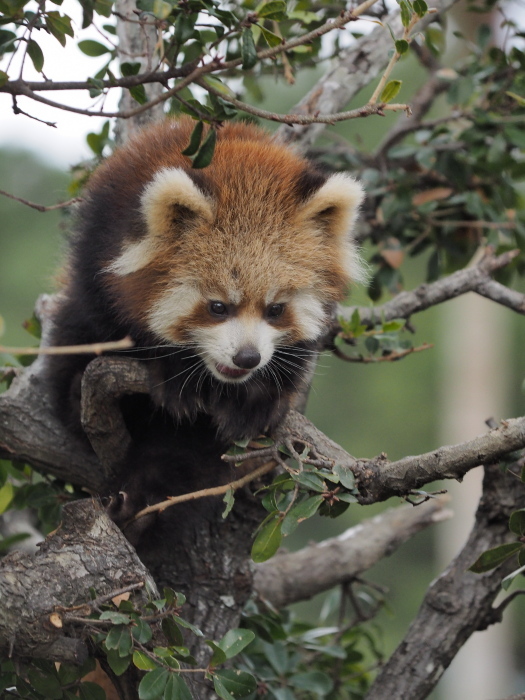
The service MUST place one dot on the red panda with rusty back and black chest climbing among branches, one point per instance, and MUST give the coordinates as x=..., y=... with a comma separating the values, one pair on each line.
x=226, y=278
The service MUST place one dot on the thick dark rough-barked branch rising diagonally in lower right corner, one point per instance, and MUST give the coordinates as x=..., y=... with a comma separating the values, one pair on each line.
x=457, y=604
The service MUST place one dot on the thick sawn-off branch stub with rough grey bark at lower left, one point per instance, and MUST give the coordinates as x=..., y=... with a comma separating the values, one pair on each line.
x=86, y=552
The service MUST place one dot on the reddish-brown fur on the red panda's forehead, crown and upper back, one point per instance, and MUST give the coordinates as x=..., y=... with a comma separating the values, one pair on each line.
x=211, y=254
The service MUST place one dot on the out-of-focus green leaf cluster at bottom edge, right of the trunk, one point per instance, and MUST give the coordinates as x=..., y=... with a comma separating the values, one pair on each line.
x=293, y=659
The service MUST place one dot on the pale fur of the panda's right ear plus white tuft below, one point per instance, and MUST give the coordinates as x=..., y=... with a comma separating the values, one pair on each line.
x=336, y=205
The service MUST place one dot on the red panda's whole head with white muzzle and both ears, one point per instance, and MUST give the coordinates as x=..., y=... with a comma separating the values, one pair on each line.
x=246, y=256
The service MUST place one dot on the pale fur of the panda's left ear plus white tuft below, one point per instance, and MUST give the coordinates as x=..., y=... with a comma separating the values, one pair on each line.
x=170, y=187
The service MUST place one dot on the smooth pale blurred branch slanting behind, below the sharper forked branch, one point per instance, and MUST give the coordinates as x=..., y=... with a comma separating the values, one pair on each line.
x=289, y=578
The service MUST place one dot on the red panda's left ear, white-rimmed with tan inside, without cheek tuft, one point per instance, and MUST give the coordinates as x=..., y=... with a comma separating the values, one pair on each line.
x=171, y=201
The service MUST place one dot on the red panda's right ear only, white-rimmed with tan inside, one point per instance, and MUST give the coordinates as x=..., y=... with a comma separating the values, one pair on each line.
x=334, y=206
